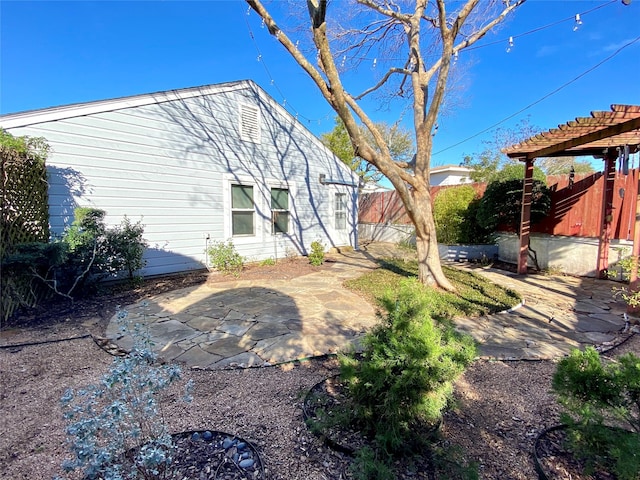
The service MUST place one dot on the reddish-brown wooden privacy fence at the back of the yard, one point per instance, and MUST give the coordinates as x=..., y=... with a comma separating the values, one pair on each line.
x=575, y=206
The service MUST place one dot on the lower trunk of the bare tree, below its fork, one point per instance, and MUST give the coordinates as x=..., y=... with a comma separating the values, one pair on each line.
x=429, y=267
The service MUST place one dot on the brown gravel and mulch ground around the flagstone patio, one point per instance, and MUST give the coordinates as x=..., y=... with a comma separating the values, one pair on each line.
x=500, y=406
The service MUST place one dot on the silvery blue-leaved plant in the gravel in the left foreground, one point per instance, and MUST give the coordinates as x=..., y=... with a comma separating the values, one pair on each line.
x=115, y=429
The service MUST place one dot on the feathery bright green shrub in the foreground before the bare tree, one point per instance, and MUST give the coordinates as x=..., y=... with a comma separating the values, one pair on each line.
x=404, y=377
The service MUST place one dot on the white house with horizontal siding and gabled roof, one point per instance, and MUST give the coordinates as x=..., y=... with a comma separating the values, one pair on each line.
x=198, y=165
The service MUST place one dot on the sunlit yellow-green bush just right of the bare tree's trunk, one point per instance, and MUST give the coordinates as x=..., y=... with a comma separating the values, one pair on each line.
x=454, y=211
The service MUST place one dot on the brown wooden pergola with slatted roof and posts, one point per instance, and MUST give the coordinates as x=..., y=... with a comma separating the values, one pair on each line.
x=607, y=135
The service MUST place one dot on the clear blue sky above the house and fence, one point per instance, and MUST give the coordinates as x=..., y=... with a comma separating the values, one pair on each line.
x=61, y=52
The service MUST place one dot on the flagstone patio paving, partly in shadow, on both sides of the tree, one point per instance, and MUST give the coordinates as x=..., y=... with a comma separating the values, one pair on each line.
x=245, y=323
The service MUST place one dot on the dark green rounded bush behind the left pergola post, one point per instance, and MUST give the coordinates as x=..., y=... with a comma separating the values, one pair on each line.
x=501, y=204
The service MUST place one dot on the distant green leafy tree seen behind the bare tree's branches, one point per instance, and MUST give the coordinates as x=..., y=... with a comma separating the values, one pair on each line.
x=339, y=142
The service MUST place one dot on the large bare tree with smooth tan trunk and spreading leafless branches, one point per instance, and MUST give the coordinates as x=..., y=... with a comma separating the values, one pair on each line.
x=424, y=38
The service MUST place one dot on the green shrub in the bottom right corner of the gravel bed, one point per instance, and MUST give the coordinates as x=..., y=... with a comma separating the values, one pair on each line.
x=598, y=399
